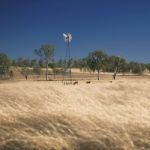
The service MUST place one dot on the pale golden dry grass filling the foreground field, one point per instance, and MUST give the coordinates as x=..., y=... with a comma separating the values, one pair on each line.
x=102, y=115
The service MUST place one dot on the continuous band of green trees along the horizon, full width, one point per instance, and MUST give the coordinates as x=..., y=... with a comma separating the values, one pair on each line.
x=97, y=60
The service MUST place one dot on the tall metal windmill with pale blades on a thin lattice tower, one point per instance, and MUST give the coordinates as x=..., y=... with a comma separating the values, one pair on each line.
x=67, y=38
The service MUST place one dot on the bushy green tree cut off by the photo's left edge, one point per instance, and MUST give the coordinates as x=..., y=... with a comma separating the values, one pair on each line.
x=4, y=65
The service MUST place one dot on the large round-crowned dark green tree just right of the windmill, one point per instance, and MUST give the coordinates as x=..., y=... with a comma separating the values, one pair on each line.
x=96, y=61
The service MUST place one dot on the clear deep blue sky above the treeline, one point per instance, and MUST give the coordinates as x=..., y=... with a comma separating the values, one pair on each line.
x=120, y=27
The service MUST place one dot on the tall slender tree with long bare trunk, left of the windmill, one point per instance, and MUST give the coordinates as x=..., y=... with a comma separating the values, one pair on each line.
x=46, y=53
